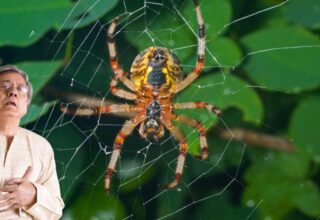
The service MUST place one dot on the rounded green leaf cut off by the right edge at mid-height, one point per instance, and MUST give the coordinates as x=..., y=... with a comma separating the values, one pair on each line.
x=304, y=128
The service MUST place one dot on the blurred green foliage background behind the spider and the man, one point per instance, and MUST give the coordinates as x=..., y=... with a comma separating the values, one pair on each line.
x=262, y=69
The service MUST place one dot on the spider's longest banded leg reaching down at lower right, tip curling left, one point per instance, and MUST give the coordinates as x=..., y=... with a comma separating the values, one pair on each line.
x=178, y=135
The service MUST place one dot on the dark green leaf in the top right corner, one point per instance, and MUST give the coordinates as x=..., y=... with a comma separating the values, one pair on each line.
x=306, y=13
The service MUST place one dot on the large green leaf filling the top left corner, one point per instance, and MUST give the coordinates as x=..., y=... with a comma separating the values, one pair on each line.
x=24, y=22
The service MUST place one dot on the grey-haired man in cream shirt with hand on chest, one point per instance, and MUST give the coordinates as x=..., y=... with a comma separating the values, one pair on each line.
x=29, y=187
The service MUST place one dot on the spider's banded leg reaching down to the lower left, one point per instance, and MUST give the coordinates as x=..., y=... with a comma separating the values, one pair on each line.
x=126, y=130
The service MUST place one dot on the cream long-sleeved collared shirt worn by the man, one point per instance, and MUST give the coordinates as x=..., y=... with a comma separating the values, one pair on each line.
x=30, y=149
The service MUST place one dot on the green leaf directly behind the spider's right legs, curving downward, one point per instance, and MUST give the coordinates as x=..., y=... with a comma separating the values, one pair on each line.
x=224, y=91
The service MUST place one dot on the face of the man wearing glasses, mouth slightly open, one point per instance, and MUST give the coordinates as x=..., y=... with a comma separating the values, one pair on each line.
x=13, y=95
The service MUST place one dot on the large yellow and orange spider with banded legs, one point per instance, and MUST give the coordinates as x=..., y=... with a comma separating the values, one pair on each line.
x=156, y=76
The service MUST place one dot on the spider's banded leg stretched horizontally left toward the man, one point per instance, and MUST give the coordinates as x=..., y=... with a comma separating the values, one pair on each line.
x=113, y=108
